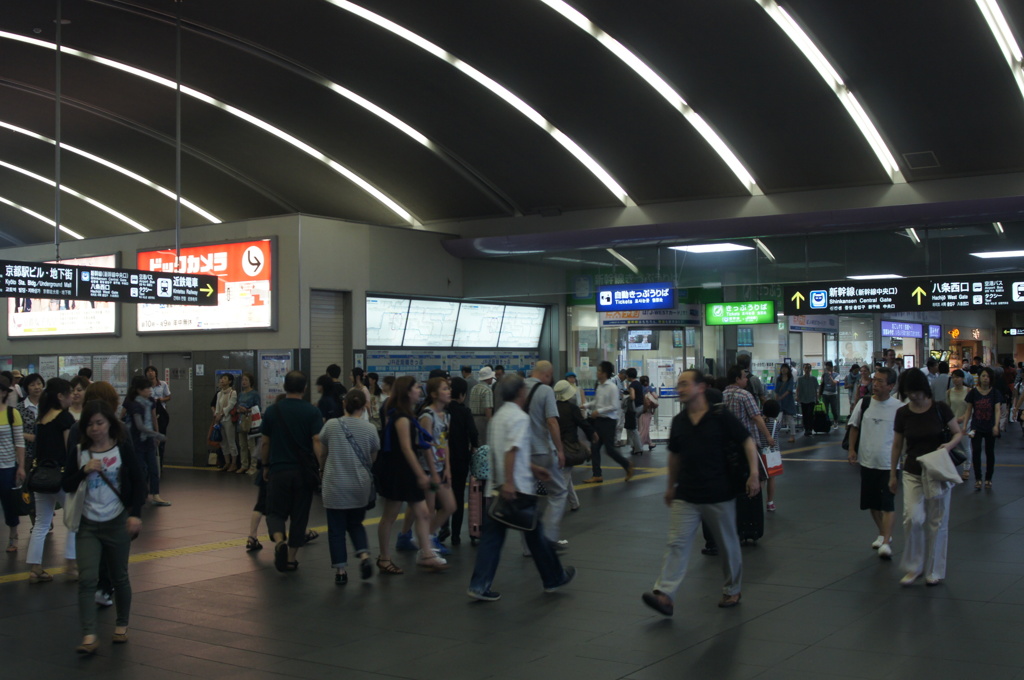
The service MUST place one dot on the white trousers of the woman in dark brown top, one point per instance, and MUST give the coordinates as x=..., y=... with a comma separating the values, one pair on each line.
x=926, y=529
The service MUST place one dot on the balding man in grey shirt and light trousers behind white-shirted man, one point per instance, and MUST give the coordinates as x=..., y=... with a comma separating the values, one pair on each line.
x=546, y=446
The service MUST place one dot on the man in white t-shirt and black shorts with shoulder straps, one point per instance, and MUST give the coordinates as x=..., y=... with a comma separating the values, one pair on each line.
x=871, y=446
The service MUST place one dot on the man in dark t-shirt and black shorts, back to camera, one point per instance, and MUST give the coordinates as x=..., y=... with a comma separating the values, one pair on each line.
x=290, y=452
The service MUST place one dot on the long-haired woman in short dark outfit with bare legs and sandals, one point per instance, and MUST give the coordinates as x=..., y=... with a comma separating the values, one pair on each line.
x=401, y=479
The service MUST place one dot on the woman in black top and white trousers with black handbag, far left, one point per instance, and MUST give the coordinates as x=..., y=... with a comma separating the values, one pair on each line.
x=52, y=449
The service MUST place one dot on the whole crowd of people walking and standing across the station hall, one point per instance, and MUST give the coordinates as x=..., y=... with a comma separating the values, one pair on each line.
x=400, y=443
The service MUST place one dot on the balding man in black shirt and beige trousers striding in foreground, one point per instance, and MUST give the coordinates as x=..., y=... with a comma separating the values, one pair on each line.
x=702, y=489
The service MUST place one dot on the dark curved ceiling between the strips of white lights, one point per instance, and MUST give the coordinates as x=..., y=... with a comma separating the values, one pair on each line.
x=929, y=73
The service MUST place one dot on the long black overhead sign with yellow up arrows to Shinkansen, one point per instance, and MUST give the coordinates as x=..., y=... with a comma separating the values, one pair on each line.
x=919, y=294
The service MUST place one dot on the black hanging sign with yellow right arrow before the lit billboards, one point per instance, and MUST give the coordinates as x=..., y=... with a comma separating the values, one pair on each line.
x=70, y=282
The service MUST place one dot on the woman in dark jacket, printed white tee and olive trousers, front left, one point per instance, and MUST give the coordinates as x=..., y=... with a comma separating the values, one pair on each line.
x=111, y=478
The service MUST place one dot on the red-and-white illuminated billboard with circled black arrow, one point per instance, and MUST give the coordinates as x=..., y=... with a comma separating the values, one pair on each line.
x=245, y=282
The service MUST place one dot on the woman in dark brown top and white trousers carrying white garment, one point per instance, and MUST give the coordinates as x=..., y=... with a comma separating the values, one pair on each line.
x=921, y=426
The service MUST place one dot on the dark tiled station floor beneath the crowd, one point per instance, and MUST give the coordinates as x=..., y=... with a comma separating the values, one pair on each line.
x=818, y=604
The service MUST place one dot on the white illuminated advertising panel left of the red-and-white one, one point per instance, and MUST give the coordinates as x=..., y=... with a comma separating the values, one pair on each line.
x=34, y=318
